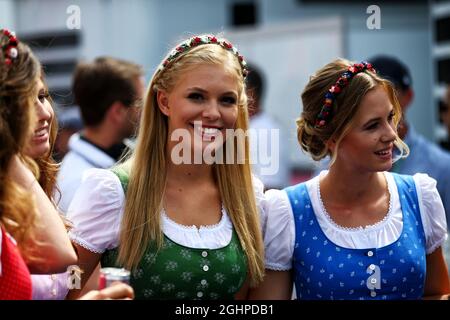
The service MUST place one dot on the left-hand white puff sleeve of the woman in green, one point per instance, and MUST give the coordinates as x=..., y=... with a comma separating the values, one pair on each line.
x=96, y=211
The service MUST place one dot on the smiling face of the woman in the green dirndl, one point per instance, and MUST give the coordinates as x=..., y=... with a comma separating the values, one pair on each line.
x=203, y=102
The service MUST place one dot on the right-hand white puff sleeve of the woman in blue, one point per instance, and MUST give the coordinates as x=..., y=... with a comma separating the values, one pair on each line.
x=431, y=211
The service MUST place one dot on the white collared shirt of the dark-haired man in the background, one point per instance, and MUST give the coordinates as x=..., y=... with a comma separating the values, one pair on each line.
x=82, y=156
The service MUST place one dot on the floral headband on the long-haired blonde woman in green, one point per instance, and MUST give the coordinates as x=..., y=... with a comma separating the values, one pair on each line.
x=200, y=40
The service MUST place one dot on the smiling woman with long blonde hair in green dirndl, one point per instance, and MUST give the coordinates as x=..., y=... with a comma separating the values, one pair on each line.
x=186, y=229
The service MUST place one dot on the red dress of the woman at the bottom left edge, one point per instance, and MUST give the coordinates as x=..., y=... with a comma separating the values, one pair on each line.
x=15, y=279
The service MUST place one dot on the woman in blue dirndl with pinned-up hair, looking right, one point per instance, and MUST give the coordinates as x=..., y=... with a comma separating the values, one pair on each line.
x=356, y=231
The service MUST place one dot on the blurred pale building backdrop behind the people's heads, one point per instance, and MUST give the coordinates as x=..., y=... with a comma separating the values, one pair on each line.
x=287, y=39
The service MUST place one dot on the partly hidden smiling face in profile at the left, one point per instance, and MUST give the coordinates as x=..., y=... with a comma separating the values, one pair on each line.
x=40, y=140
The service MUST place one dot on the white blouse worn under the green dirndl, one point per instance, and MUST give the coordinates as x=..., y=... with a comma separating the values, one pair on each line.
x=97, y=209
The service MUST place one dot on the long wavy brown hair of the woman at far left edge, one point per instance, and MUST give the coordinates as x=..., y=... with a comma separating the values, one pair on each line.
x=18, y=91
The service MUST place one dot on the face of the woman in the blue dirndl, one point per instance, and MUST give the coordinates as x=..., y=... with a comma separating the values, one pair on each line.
x=369, y=142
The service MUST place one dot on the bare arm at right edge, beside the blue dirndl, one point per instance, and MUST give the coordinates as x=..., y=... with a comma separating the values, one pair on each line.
x=437, y=285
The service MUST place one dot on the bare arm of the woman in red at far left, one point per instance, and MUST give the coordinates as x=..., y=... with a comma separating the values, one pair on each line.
x=52, y=243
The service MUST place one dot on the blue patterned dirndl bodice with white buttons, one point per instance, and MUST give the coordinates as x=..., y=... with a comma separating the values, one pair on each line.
x=324, y=270
